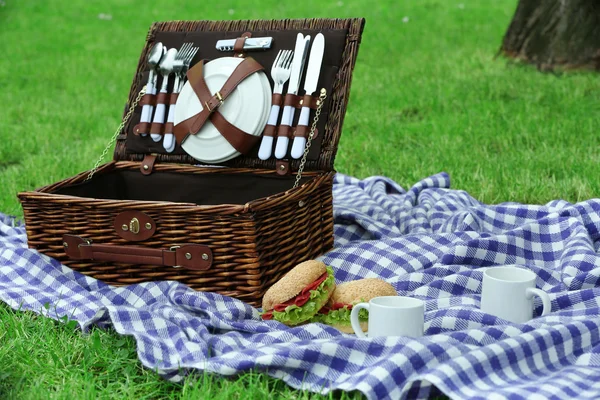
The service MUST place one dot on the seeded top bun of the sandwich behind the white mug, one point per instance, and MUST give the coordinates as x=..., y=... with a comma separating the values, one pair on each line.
x=354, y=292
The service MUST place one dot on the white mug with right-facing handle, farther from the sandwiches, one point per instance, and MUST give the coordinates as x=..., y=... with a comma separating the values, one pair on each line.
x=507, y=292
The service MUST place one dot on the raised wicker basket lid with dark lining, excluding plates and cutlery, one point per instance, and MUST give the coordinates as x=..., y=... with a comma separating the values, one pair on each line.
x=342, y=39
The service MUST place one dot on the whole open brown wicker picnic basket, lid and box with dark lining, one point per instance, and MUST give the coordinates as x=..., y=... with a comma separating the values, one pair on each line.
x=232, y=228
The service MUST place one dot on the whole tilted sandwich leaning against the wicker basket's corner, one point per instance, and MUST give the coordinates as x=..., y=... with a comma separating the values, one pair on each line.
x=300, y=294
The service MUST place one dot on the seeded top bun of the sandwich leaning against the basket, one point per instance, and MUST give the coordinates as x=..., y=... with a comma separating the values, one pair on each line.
x=293, y=282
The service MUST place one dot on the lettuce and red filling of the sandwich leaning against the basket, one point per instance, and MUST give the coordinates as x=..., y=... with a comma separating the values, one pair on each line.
x=306, y=304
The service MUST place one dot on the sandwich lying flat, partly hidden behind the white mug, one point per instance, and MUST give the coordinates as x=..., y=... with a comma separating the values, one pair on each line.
x=346, y=295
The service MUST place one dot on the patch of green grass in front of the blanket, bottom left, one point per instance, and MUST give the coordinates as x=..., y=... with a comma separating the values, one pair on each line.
x=44, y=359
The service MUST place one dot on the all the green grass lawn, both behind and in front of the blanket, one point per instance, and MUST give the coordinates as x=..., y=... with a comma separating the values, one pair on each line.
x=427, y=96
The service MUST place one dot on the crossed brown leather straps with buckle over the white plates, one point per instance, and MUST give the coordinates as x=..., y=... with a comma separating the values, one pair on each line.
x=239, y=139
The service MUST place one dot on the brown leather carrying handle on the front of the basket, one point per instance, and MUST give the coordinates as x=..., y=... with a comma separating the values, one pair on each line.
x=196, y=257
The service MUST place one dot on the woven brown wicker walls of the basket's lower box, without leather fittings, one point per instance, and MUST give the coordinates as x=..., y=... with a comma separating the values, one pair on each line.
x=252, y=244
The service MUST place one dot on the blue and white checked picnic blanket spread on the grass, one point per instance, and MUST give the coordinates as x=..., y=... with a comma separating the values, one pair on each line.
x=430, y=242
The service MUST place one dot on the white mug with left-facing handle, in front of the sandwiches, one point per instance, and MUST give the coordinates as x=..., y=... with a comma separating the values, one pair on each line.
x=391, y=316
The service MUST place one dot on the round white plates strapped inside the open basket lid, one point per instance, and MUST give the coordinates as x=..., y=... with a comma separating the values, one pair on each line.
x=247, y=108
